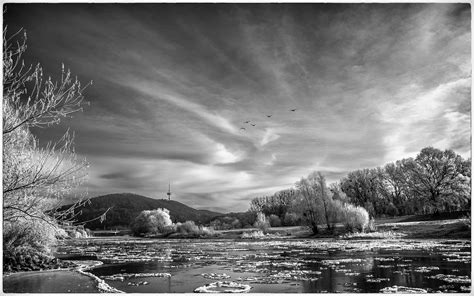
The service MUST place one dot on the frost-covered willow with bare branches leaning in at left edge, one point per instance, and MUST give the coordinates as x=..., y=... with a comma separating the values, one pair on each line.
x=36, y=176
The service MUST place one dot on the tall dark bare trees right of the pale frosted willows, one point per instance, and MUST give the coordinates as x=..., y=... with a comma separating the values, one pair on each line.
x=433, y=181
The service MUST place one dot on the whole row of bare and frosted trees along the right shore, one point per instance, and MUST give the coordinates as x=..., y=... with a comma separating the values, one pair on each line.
x=434, y=181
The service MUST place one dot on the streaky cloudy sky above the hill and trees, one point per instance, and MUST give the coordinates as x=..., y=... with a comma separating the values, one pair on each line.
x=173, y=84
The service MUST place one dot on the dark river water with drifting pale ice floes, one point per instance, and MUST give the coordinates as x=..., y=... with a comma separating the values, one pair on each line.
x=150, y=266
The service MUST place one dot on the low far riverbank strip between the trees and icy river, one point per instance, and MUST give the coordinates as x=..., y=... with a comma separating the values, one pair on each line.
x=440, y=225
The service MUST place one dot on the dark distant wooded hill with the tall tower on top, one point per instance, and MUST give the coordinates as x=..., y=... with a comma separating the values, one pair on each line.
x=124, y=207
